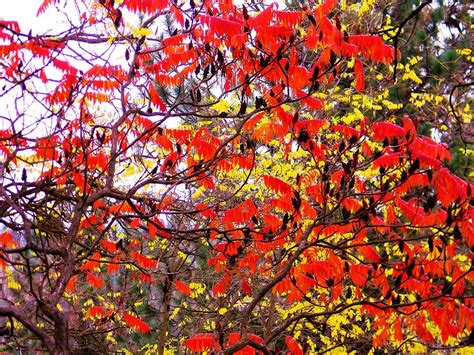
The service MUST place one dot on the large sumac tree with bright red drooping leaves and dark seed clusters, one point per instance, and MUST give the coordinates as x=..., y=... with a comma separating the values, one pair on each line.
x=219, y=177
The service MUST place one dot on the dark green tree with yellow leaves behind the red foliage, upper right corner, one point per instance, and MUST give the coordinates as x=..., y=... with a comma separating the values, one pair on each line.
x=432, y=78
